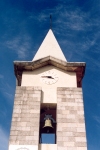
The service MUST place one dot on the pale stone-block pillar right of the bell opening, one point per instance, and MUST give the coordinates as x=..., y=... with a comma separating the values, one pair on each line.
x=71, y=134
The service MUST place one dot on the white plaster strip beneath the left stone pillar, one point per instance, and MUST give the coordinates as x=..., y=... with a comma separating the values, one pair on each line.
x=23, y=147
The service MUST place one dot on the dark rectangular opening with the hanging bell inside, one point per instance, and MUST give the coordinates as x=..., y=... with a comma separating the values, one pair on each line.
x=47, y=131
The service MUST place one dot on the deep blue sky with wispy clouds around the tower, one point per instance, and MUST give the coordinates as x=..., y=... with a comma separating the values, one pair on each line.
x=76, y=26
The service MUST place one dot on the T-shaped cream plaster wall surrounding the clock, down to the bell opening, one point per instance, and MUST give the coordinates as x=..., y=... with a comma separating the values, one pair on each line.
x=33, y=78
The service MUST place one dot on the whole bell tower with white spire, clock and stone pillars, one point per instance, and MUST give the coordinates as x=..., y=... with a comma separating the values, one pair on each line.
x=48, y=108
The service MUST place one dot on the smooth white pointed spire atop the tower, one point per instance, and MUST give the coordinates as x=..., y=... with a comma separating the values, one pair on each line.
x=49, y=47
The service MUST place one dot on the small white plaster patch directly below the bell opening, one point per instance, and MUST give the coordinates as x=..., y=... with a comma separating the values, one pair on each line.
x=47, y=146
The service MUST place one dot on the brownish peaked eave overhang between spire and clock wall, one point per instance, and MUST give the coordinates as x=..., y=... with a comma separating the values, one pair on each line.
x=78, y=67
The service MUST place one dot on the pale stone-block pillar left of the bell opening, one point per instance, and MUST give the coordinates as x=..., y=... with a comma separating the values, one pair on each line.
x=26, y=116
